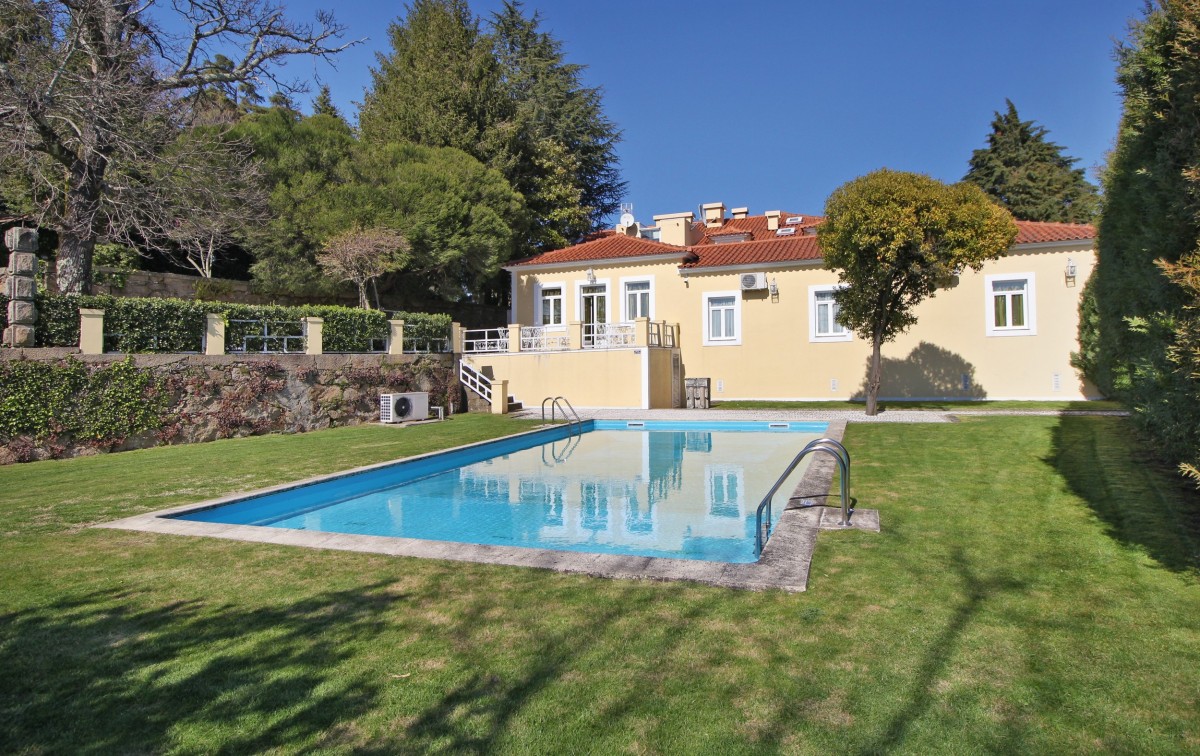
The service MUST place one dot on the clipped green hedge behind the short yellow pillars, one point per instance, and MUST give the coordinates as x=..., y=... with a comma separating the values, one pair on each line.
x=147, y=325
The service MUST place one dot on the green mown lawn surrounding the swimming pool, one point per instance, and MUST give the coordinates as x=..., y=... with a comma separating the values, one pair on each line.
x=1036, y=589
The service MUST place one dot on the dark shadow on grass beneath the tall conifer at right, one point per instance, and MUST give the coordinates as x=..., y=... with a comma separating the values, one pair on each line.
x=1142, y=502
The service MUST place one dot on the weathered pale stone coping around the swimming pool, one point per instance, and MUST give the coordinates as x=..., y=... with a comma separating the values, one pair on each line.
x=785, y=561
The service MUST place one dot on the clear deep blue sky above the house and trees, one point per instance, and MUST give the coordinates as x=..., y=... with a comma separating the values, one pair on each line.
x=773, y=105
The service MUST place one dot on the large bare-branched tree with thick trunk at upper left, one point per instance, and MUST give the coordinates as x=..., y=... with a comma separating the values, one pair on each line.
x=92, y=92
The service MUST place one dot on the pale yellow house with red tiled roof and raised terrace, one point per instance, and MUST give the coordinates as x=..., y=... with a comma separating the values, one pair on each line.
x=622, y=319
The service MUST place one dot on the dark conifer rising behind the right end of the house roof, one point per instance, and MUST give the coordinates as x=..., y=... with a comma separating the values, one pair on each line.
x=1030, y=176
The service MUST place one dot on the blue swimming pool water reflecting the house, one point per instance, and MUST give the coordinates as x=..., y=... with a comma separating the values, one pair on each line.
x=653, y=489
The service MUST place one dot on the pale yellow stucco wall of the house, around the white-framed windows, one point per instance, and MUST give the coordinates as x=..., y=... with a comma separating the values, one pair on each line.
x=777, y=358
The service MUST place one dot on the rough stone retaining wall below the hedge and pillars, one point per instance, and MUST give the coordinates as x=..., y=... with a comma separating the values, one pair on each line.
x=226, y=397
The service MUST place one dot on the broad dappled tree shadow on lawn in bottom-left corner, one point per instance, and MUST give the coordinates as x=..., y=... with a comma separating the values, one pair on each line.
x=99, y=674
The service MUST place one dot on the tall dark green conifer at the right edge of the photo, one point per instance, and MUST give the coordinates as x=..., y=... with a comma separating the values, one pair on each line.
x=1151, y=220
